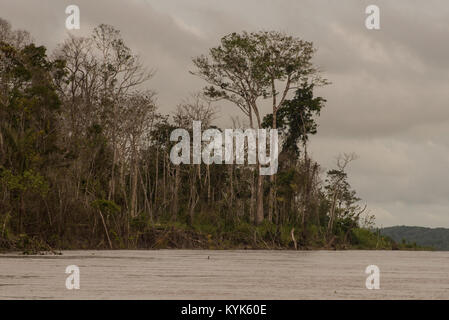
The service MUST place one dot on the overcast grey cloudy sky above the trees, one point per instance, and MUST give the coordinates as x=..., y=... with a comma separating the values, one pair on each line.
x=388, y=101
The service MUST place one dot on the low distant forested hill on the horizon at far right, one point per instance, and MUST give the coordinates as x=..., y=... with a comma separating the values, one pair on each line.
x=437, y=238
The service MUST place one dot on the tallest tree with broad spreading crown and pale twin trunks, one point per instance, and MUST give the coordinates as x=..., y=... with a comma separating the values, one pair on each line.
x=248, y=66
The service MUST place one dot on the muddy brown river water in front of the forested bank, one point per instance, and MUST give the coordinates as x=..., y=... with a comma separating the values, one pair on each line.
x=204, y=274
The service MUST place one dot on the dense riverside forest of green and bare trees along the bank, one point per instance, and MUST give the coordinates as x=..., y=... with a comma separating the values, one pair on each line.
x=85, y=151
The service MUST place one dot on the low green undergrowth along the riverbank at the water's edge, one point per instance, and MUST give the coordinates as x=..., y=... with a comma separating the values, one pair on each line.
x=209, y=237
